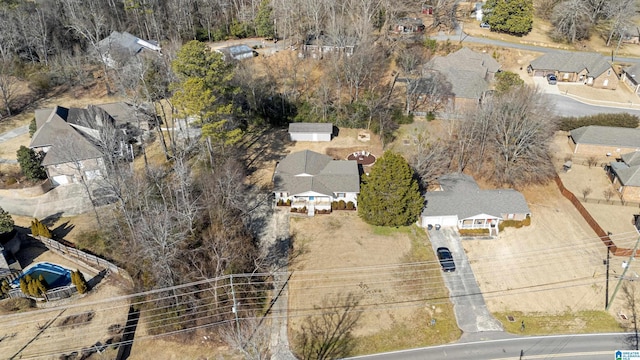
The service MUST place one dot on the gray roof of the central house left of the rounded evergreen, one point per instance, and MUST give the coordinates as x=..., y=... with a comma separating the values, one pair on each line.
x=306, y=171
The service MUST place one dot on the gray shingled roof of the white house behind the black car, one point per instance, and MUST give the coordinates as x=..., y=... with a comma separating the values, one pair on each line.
x=466, y=204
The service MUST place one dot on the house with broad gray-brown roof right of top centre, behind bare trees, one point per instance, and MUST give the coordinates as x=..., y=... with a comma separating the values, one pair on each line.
x=470, y=74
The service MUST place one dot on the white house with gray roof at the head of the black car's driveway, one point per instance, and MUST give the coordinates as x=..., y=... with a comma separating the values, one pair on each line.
x=462, y=204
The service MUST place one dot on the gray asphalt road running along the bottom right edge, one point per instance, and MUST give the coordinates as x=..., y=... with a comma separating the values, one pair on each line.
x=567, y=347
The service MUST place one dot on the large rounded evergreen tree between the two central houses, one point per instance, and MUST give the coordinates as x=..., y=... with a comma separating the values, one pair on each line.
x=389, y=196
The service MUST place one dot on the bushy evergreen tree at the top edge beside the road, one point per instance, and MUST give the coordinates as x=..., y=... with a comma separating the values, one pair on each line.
x=509, y=16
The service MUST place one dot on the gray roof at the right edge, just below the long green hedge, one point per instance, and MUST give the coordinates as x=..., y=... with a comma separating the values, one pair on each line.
x=607, y=135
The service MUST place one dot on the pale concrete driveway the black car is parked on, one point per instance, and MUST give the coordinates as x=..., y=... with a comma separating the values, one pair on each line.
x=471, y=311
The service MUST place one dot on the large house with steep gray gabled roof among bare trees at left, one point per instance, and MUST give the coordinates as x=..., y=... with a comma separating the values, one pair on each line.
x=75, y=142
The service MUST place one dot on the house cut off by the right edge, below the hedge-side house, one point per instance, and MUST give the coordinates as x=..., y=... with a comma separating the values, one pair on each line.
x=625, y=175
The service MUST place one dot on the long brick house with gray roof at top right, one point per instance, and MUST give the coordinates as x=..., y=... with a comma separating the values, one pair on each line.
x=591, y=69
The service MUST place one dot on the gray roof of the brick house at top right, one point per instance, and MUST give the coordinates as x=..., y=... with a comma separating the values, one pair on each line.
x=565, y=61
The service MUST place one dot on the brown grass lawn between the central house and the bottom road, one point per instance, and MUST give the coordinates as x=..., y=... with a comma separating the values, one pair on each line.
x=393, y=272
